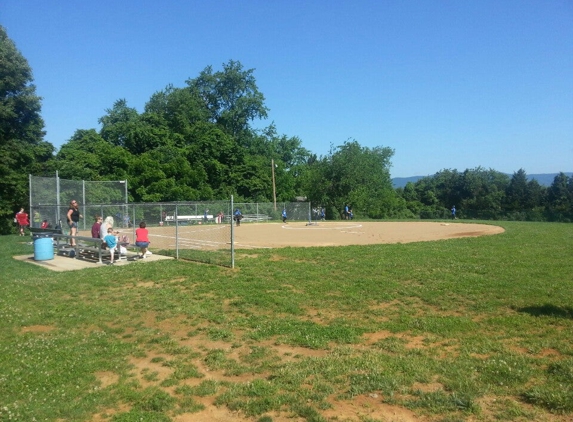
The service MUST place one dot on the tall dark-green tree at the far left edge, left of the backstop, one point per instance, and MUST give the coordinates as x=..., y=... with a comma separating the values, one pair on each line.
x=22, y=147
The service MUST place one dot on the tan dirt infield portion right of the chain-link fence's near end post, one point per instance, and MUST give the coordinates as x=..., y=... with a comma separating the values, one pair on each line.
x=340, y=233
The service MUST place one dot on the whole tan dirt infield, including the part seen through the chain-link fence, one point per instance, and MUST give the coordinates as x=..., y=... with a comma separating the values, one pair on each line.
x=299, y=234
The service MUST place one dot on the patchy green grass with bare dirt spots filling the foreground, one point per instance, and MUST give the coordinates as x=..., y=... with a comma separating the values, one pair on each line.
x=472, y=329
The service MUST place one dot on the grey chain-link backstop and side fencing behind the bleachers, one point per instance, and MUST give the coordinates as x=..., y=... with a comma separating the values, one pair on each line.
x=195, y=230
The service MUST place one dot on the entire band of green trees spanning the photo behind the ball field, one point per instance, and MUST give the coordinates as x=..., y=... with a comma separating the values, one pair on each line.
x=197, y=142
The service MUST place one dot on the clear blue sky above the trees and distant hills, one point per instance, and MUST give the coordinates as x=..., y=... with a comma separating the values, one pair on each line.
x=450, y=84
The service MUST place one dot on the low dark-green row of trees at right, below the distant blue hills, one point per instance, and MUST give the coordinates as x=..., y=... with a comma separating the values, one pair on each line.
x=490, y=195
